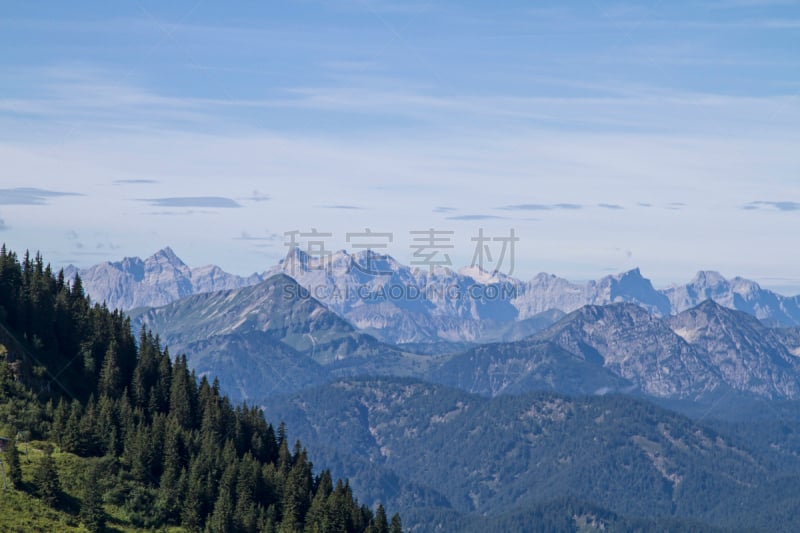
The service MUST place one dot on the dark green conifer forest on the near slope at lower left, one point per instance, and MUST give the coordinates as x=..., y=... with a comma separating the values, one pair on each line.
x=158, y=445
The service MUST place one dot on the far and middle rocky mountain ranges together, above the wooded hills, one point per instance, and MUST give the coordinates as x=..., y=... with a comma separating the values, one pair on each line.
x=304, y=326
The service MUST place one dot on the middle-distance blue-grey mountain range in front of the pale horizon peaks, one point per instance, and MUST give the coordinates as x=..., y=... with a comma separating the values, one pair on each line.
x=271, y=338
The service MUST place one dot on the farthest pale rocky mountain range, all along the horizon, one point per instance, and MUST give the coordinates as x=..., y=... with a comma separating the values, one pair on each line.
x=403, y=305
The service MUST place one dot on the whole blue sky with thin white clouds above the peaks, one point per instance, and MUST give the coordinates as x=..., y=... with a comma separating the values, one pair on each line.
x=605, y=135
